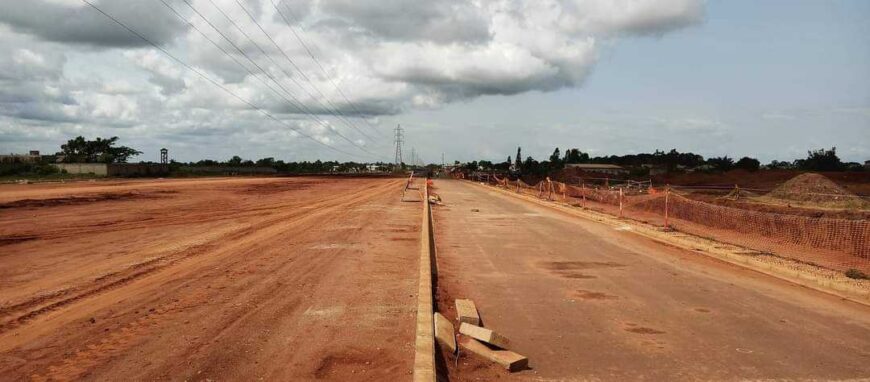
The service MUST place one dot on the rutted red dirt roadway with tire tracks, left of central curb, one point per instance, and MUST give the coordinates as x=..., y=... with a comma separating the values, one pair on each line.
x=222, y=279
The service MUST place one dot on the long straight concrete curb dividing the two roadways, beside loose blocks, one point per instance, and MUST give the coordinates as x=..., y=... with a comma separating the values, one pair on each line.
x=424, y=346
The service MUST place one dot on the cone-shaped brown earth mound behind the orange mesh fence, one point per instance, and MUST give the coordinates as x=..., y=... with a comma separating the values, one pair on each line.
x=813, y=188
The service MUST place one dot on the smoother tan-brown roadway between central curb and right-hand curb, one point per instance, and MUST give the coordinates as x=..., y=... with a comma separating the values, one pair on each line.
x=585, y=301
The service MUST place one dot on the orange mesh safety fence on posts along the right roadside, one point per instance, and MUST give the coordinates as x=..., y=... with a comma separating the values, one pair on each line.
x=838, y=244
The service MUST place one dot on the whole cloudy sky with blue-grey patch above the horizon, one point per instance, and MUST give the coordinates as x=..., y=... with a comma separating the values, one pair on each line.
x=309, y=79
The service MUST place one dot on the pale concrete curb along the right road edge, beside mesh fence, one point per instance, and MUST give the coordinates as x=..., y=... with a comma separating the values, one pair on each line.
x=728, y=253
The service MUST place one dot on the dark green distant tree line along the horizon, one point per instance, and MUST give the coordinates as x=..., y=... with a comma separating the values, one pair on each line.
x=99, y=150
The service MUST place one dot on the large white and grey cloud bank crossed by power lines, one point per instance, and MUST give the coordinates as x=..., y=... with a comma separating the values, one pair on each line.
x=387, y=56
